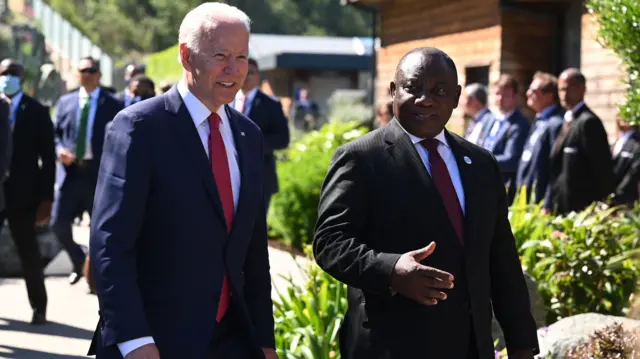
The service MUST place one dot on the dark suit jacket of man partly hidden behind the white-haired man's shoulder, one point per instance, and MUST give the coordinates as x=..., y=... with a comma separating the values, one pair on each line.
x=267, y=113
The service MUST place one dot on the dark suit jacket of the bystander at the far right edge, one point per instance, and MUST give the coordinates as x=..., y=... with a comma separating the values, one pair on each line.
x=626, y=169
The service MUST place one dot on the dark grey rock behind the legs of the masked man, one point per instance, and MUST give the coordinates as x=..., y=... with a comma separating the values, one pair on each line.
x=9, y=260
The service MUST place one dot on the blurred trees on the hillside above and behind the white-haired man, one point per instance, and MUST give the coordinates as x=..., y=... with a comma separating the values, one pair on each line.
x=145, y=26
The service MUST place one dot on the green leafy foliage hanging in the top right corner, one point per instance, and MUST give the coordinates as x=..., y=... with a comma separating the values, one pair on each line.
x=619, y=27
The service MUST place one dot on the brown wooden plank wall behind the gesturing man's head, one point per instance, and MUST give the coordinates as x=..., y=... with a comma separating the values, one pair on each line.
x=468, y=30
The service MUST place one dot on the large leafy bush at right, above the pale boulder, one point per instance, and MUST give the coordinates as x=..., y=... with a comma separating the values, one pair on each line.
x=580, y=261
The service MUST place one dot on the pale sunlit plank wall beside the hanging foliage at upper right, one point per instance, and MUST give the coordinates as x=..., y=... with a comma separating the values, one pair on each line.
x=604, y=75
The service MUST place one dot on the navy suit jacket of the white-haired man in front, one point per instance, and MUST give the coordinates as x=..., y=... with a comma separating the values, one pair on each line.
x=159, y=242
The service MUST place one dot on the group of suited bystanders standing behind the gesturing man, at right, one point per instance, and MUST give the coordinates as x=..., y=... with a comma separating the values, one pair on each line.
x=563, y=158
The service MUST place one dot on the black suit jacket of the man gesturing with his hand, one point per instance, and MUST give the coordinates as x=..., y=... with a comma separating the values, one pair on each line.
x=377, y=202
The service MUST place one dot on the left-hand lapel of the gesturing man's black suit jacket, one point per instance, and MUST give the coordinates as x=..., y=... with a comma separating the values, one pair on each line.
x=405, y=154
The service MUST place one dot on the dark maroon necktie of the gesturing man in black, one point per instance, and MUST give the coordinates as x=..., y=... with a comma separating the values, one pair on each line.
x=442, y=180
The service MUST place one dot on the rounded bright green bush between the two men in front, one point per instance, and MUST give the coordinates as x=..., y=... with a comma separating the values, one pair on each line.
x=294, y=209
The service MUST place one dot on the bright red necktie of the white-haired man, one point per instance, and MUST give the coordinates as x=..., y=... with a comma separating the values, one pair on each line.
x=220, y=167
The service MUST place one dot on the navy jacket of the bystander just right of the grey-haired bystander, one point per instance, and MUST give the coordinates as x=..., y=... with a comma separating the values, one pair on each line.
x=508, y=145
